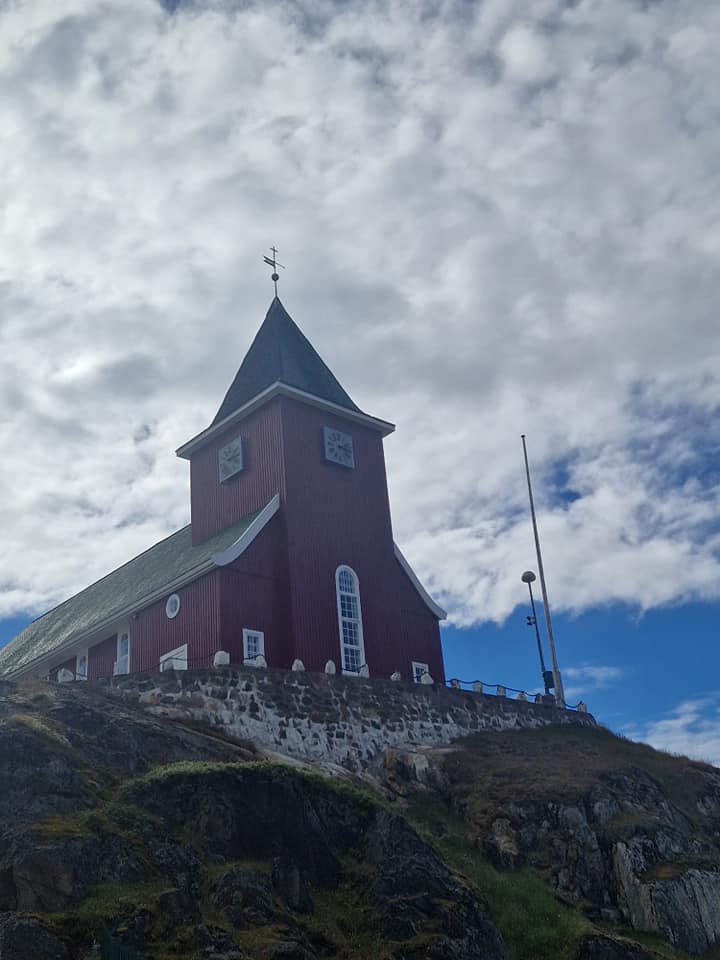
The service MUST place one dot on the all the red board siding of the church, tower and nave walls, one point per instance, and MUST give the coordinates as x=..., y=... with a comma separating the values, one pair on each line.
x=284, y=583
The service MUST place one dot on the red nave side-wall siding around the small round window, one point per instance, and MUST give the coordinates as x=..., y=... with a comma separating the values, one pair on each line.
x=153, y=633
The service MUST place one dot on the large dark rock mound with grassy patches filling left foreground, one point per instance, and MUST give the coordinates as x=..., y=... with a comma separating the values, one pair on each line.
x=208, y=850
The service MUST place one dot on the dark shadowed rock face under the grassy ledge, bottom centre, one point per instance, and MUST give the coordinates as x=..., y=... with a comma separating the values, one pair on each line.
x=306, y=832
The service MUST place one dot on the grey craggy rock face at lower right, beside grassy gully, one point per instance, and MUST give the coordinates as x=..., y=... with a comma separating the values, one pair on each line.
x=648, y=879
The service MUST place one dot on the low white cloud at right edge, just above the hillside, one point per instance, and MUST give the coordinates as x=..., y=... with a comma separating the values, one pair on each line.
x=691, y=729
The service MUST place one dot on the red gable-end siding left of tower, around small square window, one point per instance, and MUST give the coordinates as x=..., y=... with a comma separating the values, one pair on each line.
x=255, y=595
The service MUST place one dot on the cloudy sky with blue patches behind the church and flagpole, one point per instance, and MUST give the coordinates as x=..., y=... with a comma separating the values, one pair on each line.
x=496, y=217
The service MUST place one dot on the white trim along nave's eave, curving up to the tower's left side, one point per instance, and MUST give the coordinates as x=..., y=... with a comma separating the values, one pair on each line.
x=101, y=630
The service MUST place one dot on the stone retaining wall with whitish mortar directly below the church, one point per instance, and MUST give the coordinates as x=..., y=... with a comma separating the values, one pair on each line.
x=344, y=720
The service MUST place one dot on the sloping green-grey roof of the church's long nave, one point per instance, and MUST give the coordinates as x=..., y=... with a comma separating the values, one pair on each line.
x=147, y=574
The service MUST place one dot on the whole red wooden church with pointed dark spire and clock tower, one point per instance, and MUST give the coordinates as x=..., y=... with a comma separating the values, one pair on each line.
x=289, y=555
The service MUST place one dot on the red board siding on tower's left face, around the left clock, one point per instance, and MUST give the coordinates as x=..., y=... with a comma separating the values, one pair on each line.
x=215, y=505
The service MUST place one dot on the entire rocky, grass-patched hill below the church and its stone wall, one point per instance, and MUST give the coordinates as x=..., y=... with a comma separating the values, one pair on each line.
x=167, y=832
